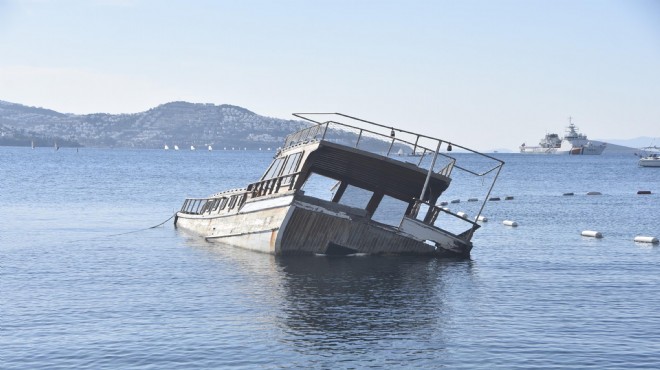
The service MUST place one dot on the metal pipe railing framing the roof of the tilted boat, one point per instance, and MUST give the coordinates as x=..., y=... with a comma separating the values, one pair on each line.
x=420, y=150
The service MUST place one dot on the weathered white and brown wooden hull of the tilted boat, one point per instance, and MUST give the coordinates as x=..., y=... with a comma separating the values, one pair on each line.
x=299, y=225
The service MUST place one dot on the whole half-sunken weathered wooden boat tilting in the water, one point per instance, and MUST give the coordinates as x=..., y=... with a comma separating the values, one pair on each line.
x=341, y=186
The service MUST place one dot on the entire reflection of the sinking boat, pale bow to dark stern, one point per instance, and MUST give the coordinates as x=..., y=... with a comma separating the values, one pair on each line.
x=350, y=299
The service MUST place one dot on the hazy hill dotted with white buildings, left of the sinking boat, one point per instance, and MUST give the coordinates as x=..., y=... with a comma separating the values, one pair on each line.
x=175, y=123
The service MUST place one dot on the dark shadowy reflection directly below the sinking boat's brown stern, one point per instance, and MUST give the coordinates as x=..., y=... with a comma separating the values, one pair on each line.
x=366, y=298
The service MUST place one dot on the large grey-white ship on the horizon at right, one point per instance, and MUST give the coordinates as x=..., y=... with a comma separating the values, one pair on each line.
x=573, y=143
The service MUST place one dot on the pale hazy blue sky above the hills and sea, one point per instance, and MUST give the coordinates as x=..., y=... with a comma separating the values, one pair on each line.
x=485, y=73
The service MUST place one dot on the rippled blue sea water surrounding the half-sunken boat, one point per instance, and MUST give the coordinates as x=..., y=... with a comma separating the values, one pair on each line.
x=86, y=284
